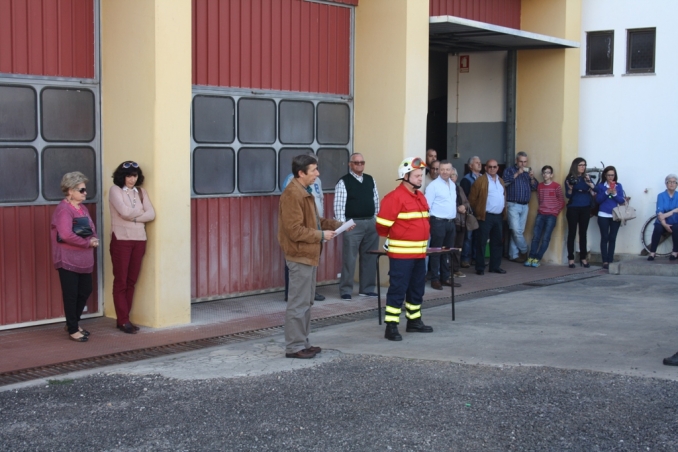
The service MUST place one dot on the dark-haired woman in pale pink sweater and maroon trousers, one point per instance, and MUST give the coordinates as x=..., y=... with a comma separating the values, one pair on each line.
x=131, y=209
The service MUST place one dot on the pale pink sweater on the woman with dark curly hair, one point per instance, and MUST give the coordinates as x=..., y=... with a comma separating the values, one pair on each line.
x=129, y=214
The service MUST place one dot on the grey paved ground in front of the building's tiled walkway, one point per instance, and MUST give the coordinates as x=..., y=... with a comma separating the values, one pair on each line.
x=574, y=366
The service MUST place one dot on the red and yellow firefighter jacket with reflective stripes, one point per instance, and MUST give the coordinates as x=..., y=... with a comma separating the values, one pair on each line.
x=403, y=219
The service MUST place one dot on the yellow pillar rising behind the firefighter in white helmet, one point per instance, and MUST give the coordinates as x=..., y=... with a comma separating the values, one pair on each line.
x=390, y=87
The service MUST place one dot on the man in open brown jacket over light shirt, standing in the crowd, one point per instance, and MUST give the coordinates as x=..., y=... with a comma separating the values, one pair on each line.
x=488, y=201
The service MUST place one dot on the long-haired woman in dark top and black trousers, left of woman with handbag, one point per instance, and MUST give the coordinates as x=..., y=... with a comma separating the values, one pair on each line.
x=578, y=189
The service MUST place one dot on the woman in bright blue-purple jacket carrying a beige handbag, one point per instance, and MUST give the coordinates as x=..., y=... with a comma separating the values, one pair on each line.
x=609, y=194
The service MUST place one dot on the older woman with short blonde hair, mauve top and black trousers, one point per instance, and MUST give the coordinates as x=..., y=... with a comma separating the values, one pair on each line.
x=73, y=238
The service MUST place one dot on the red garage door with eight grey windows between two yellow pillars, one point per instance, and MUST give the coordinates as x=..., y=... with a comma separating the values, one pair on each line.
x=262, y=56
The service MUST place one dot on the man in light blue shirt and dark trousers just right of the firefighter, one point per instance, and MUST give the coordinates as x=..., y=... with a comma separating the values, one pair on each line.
x=441, y=195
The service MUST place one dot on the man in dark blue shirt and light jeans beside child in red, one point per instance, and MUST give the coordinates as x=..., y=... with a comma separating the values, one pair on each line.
x=520, y=183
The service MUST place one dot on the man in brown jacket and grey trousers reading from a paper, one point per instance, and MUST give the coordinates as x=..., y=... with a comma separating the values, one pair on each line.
x=301, y=232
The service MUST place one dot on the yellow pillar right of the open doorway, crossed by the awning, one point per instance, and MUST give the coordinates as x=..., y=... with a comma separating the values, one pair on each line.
x=547, y=125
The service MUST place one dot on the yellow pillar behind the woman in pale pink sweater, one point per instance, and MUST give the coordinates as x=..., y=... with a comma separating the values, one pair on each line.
x=146, y=95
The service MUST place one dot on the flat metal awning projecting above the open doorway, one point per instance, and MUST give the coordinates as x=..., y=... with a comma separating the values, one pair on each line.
x=454, y=34
